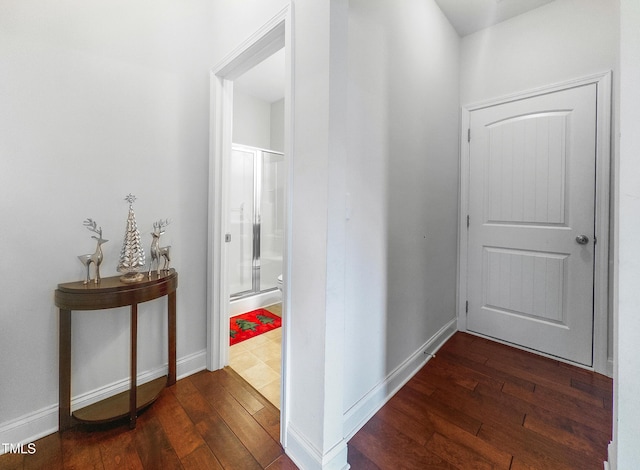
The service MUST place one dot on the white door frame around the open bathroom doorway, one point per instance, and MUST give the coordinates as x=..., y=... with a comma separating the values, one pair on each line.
x=271, y=37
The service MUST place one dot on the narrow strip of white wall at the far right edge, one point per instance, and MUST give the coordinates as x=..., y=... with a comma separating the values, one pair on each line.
x=625, y=452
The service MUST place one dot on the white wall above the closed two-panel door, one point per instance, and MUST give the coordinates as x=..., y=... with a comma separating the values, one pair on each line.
x=560, y=41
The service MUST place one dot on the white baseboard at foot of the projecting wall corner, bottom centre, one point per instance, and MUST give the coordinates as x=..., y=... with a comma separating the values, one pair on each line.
x=306, y=456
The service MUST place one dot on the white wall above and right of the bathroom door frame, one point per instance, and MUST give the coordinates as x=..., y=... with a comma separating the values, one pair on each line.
x=314, y=395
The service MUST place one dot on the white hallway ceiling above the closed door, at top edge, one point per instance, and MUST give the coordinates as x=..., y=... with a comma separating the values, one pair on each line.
x=469, y=16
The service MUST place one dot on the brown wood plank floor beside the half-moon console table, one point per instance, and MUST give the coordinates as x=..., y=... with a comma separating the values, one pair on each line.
x=210, y=420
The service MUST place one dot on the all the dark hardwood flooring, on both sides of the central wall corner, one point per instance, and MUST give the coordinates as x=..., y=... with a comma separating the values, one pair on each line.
x=476, y=405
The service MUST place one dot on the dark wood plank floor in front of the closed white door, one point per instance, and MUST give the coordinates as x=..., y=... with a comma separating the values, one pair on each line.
x=483, y=405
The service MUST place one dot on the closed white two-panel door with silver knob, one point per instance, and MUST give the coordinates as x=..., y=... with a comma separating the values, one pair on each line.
x=531, y=222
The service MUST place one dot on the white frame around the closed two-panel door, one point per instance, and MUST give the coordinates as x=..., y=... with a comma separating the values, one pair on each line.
x=601, y=300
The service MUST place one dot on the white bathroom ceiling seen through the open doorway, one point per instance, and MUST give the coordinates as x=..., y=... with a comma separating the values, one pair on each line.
x=264, y=81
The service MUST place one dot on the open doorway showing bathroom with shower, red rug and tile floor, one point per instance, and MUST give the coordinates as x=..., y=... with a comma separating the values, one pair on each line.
x=254, y=239
